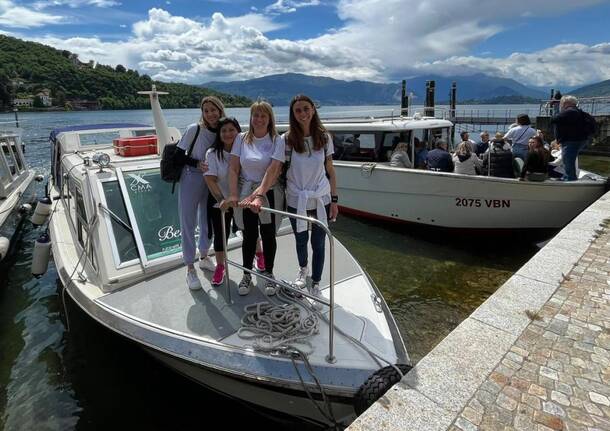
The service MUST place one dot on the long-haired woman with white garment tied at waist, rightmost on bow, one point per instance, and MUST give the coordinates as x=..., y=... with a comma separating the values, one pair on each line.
x=311, y=186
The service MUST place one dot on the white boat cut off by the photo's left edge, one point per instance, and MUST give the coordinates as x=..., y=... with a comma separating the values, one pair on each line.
x=16, y=191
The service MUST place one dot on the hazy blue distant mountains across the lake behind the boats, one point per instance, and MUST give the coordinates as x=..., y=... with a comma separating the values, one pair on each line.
x=279, y=89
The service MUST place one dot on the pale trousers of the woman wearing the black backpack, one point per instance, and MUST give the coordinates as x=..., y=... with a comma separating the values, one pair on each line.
x=193, y=213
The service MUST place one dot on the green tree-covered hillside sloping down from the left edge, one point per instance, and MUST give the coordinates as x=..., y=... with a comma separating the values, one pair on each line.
x=27, y=68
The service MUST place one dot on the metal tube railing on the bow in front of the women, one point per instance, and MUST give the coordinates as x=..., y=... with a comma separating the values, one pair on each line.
x=330, y=358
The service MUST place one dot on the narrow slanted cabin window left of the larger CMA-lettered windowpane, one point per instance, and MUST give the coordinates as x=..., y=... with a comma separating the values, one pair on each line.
x=124, y=243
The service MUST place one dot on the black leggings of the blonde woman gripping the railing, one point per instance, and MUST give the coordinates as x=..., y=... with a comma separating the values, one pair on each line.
x=251, y=228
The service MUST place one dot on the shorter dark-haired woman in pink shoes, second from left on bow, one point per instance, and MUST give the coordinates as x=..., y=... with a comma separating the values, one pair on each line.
x=217, y=179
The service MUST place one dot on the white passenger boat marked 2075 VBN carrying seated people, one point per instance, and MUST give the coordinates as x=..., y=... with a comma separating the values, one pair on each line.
x=368, y=186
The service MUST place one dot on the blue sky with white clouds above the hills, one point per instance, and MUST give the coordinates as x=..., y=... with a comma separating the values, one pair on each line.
x=537, y=42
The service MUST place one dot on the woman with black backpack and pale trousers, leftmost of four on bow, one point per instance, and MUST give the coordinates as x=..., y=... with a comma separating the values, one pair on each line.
x=194, y=190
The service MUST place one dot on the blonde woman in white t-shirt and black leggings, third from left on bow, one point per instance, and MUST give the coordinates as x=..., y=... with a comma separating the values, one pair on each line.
x=256, y=162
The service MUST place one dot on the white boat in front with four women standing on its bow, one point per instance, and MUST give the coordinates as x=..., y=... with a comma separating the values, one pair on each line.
x=116, y=244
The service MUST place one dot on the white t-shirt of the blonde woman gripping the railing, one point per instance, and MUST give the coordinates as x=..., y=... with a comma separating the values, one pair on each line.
x=255, y=158
